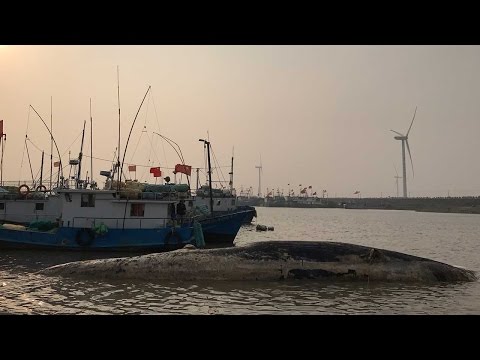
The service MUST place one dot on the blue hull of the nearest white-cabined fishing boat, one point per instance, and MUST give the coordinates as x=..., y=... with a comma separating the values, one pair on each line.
x=85, y=239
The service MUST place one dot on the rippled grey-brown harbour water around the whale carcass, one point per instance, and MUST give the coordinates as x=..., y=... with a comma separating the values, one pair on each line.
x=450, y=238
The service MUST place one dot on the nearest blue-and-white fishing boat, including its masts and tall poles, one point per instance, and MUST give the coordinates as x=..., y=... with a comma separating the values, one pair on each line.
x=93, y=219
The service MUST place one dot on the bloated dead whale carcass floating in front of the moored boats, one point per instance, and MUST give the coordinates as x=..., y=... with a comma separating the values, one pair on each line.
x=271, y=260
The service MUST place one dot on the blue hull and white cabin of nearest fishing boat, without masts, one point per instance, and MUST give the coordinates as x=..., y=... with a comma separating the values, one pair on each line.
x=101, y=220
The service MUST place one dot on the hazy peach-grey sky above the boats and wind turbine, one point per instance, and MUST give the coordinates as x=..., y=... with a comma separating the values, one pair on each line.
x=315, y=116
